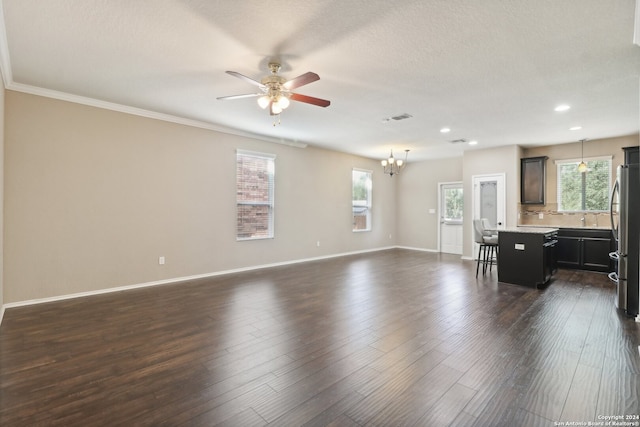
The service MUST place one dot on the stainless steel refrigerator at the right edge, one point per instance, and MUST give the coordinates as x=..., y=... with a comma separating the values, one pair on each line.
x=625, y=223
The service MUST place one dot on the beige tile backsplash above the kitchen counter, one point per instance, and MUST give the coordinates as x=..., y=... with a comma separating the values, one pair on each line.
x=548, y=215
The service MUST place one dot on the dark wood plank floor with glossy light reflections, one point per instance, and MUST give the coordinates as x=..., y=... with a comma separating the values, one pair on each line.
x=391, y=338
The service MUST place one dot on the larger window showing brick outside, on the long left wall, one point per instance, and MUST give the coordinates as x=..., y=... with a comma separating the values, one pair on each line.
x=254, y=195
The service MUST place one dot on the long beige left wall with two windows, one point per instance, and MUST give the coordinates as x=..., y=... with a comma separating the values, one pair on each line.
x=93, y=198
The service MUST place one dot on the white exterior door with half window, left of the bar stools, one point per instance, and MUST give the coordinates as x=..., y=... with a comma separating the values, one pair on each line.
x=451, y=207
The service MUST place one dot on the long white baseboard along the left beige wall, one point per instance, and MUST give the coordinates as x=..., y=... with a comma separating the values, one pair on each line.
x=180, y=279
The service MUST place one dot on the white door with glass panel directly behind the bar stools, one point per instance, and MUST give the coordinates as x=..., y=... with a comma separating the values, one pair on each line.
x=489, y=200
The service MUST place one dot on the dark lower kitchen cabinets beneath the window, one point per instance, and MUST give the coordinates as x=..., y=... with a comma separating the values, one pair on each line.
x=585, y=249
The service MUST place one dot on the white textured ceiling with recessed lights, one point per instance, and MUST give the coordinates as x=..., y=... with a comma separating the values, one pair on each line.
x=490, y=70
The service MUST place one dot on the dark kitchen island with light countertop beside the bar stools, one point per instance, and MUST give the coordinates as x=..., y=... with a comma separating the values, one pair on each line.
x=527, y=255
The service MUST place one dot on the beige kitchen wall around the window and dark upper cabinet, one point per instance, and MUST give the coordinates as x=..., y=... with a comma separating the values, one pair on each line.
x=594, y=148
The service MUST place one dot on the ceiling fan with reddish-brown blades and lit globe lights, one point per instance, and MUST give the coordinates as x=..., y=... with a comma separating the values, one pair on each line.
x=276, y=91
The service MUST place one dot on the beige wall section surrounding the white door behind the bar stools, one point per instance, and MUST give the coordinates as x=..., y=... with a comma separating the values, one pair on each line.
x=491, y=161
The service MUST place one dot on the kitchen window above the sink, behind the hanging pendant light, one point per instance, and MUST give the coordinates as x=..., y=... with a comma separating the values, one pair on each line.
x=587, y=191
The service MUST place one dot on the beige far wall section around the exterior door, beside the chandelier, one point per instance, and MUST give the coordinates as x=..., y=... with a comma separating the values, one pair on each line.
x=417, y=193
